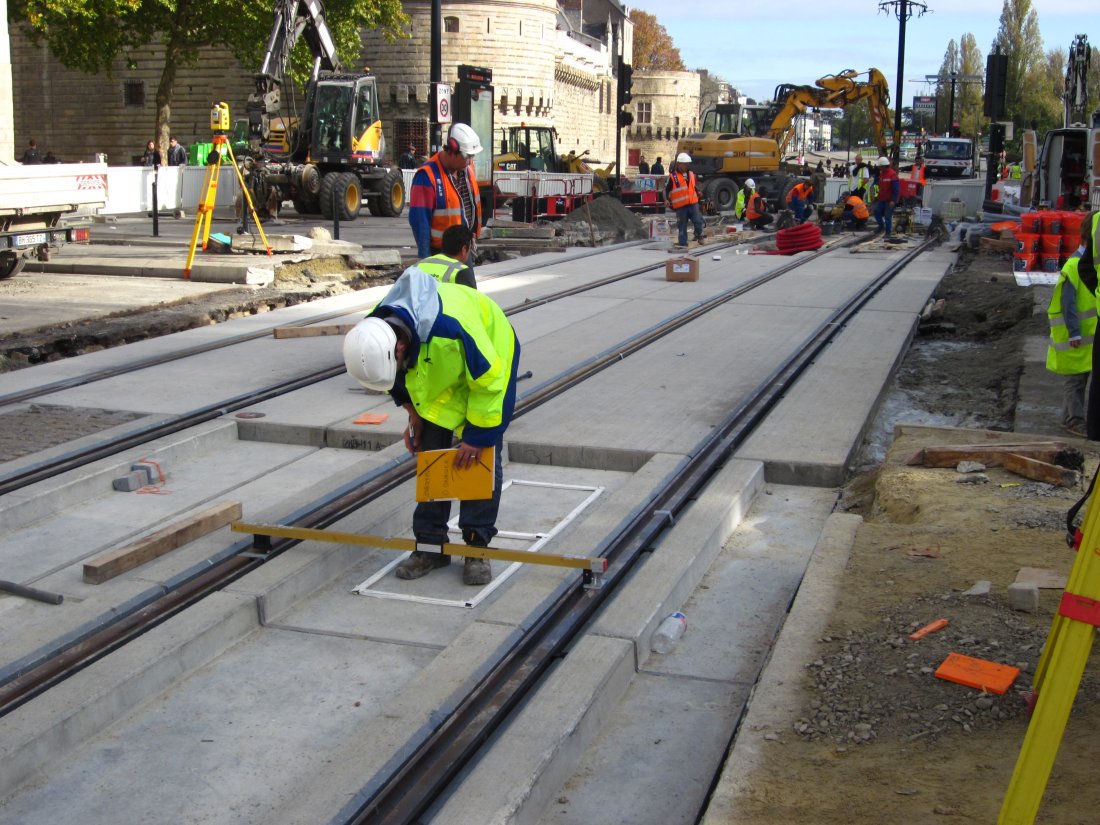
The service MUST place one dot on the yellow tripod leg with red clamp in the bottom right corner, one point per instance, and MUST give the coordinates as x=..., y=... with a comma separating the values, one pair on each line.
x=1059, y=677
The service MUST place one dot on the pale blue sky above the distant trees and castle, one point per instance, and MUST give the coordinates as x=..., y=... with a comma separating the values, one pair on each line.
x=758, y=46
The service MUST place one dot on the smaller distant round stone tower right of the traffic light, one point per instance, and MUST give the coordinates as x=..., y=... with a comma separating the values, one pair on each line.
x=666, y=108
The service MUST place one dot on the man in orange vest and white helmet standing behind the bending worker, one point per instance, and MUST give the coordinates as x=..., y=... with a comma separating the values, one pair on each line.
x=445, y=193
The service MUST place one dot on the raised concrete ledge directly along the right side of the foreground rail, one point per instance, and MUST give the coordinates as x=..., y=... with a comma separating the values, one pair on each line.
x=546, y=743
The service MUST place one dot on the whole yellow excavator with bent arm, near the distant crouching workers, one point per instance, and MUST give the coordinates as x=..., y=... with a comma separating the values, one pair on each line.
x=740, y=141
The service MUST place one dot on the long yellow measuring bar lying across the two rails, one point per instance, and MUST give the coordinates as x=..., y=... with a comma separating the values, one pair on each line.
x=596, y=565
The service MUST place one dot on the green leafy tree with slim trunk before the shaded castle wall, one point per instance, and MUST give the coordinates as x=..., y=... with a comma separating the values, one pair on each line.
x=90, y=36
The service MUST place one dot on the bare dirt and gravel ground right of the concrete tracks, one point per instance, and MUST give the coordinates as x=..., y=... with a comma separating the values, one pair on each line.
x=855, y=727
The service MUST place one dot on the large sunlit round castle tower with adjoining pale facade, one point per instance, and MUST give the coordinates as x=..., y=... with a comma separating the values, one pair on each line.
x=553, y=63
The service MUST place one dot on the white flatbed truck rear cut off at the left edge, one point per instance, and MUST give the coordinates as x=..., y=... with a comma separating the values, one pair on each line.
x=43, y=206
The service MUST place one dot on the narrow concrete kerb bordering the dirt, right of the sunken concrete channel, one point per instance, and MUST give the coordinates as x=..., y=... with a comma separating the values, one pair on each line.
x=775, y=698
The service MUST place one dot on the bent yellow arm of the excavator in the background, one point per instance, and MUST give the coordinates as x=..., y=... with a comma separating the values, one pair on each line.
x=833, y=92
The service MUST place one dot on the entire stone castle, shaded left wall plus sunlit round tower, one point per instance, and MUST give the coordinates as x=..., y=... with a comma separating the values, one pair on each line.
x=553, y=64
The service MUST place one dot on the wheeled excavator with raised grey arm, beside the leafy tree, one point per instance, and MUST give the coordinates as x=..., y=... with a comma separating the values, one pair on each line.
x=332, y=158
